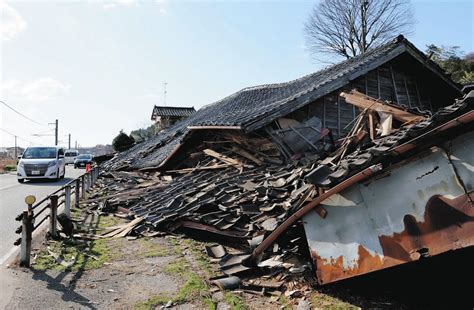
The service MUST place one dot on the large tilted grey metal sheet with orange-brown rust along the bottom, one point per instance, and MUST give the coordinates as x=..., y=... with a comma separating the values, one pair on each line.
x=421, y=207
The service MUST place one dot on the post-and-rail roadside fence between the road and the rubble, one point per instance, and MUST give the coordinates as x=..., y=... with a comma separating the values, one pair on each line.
x=63, y=196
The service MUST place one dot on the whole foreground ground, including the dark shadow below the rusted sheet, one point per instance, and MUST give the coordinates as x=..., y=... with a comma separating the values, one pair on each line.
x=172, y=271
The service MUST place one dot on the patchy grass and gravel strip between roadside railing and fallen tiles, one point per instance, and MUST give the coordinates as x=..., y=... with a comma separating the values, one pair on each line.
x=180, y=262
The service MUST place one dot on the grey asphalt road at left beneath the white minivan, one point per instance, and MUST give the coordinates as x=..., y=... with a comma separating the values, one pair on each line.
x=12, y=203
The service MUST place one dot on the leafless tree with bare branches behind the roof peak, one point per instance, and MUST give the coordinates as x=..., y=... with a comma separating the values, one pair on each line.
x=351, y=27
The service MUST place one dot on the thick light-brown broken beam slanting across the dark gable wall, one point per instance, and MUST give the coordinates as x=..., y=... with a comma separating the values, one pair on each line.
x=365, y=102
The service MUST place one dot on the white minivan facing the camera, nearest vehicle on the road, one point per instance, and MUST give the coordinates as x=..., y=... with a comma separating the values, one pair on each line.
x=39, y=162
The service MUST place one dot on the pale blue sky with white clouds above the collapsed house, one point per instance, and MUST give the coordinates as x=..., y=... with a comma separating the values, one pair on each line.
x=99, y=66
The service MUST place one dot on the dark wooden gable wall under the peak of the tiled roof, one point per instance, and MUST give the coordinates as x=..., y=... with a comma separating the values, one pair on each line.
x=403, y=81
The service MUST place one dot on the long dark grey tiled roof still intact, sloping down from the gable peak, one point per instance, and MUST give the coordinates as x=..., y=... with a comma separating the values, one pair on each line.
x=254, y=107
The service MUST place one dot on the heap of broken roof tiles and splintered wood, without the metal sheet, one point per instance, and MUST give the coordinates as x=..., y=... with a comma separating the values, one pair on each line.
x=240, y=189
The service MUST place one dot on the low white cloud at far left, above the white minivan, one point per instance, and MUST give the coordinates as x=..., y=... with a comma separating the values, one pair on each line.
x=39, y=90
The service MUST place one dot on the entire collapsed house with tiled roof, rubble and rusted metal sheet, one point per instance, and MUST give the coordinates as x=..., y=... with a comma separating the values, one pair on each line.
x=367, y=164
